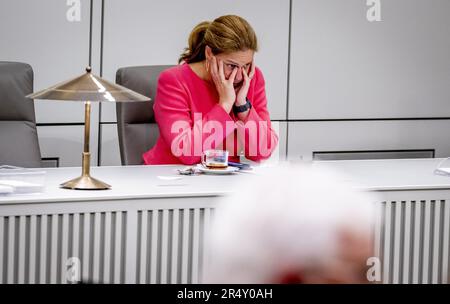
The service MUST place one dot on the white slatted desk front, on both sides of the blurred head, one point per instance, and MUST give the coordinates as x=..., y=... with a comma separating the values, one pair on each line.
x=168, y=245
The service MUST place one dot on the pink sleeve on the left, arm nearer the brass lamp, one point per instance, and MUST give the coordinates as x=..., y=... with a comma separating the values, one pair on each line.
x=186, y=137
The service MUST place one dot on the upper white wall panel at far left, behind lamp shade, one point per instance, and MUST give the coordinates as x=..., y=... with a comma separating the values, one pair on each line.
x=38, y=33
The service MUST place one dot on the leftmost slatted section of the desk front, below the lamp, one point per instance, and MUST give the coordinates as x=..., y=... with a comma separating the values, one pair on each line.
x=36, y=248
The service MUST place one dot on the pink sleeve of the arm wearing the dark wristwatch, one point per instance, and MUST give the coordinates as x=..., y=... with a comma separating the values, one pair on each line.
x=260, y=139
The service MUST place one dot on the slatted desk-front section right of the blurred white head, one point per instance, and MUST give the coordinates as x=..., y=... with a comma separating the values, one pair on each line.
x=413, y=241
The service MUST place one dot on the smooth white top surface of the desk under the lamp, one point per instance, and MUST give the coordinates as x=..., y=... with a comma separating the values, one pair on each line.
x=135, y=182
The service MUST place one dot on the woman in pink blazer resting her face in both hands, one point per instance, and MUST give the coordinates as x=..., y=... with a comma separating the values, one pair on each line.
x=215, y=99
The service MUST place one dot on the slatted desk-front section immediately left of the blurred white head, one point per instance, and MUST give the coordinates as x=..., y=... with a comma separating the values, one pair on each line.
x=171, y=245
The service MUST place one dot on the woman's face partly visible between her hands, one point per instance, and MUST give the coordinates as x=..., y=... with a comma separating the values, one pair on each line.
x=240, y=60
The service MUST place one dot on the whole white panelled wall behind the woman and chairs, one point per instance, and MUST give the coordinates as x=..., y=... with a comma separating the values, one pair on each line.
x=354, y=85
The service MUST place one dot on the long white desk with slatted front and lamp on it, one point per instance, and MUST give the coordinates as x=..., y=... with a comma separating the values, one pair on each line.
x=149, y=230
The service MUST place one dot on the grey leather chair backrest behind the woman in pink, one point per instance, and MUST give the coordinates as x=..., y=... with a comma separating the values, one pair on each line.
x=136, y=124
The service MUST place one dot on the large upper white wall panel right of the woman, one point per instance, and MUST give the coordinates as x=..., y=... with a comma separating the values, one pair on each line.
x=343, y=66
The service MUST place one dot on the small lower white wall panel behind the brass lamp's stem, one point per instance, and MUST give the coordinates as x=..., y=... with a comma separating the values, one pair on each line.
x=66, y=143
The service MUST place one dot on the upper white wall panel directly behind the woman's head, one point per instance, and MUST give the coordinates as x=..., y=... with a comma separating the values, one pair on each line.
x=142, y=32
